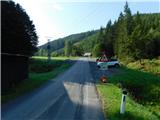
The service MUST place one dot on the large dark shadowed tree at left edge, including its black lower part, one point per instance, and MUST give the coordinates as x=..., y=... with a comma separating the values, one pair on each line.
x=18, y=37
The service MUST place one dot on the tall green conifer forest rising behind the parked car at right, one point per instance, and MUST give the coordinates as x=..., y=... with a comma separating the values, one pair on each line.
x=131, y=36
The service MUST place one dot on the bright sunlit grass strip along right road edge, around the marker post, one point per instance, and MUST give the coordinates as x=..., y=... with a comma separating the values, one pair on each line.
x=111, y=99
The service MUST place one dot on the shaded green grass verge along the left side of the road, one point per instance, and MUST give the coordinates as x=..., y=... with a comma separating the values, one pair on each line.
x=40, y=72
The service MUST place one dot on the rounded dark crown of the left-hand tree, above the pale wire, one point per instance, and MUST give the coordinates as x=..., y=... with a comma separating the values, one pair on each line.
x=18, y=32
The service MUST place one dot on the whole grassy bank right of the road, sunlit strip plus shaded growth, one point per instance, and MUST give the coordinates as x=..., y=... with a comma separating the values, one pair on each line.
x=144, y=95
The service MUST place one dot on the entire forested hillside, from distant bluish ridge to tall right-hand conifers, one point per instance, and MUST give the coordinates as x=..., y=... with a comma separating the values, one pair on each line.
x=129, y=37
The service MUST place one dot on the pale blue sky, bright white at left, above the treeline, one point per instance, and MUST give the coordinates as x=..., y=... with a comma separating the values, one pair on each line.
x=55, y=19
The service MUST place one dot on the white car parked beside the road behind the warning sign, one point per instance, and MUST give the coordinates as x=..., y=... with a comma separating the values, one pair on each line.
x=107, y=62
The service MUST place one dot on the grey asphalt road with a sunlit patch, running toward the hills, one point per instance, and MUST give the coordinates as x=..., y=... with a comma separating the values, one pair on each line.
x=71, y=96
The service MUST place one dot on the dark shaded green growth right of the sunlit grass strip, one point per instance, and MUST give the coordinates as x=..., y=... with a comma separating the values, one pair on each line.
x=143, y=87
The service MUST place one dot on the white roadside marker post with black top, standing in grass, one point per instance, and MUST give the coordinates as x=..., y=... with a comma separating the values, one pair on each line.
x=123, y=102
